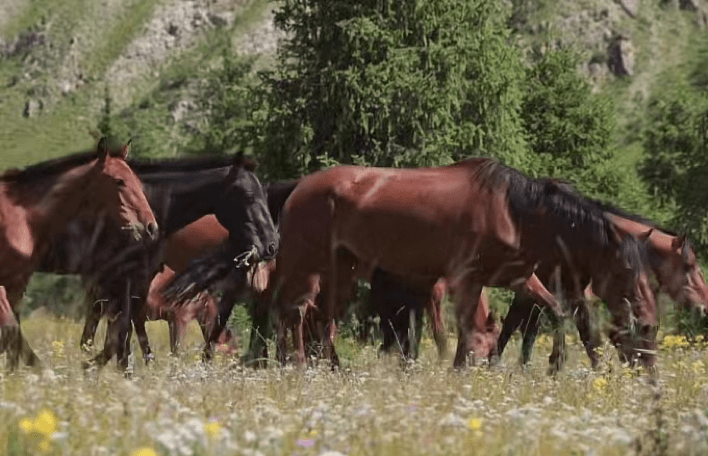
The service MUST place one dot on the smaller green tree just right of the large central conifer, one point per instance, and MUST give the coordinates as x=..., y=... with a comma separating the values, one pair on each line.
x=569, y=129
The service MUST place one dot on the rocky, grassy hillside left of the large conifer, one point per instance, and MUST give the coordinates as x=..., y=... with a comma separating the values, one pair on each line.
x=55, y=64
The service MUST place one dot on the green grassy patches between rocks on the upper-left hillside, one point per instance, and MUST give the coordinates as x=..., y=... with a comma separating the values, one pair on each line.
x=64, y=124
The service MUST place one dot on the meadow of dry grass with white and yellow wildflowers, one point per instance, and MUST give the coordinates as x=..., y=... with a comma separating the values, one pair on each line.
x=179, y=406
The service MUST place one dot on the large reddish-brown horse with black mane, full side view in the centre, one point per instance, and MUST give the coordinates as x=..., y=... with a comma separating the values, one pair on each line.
x=475, y=223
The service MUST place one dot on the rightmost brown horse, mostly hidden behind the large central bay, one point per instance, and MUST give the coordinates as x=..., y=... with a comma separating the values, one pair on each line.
x=671, y=259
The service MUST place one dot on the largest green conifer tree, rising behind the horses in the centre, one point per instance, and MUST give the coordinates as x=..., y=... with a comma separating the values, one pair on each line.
x=390, y=84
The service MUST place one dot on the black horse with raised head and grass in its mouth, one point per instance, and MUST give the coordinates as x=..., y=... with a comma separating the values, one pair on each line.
x=181, y=192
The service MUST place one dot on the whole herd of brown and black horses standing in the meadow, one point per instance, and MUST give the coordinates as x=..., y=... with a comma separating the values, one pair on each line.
x=154, y=240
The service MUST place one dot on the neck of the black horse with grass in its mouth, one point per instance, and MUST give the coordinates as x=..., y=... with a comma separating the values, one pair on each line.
x=182, y=198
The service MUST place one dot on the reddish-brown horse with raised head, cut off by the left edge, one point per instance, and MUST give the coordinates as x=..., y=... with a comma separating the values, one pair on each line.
x=41, y=200
